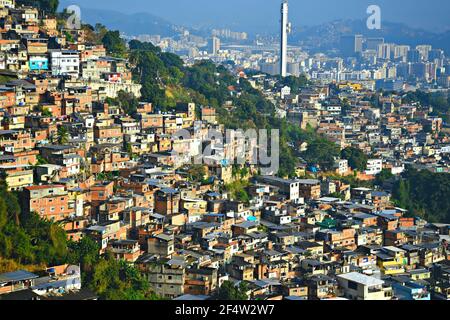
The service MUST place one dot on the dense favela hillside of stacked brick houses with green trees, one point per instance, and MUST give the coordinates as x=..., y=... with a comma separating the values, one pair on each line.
x=95, y=205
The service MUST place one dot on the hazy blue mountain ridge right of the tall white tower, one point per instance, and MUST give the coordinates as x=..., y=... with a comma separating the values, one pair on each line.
x=327, y=36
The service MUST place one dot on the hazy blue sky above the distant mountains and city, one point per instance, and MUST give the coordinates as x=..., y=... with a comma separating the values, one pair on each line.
x=250, y=15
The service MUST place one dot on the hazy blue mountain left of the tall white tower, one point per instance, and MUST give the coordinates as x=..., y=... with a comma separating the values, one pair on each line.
x=133, y=24
